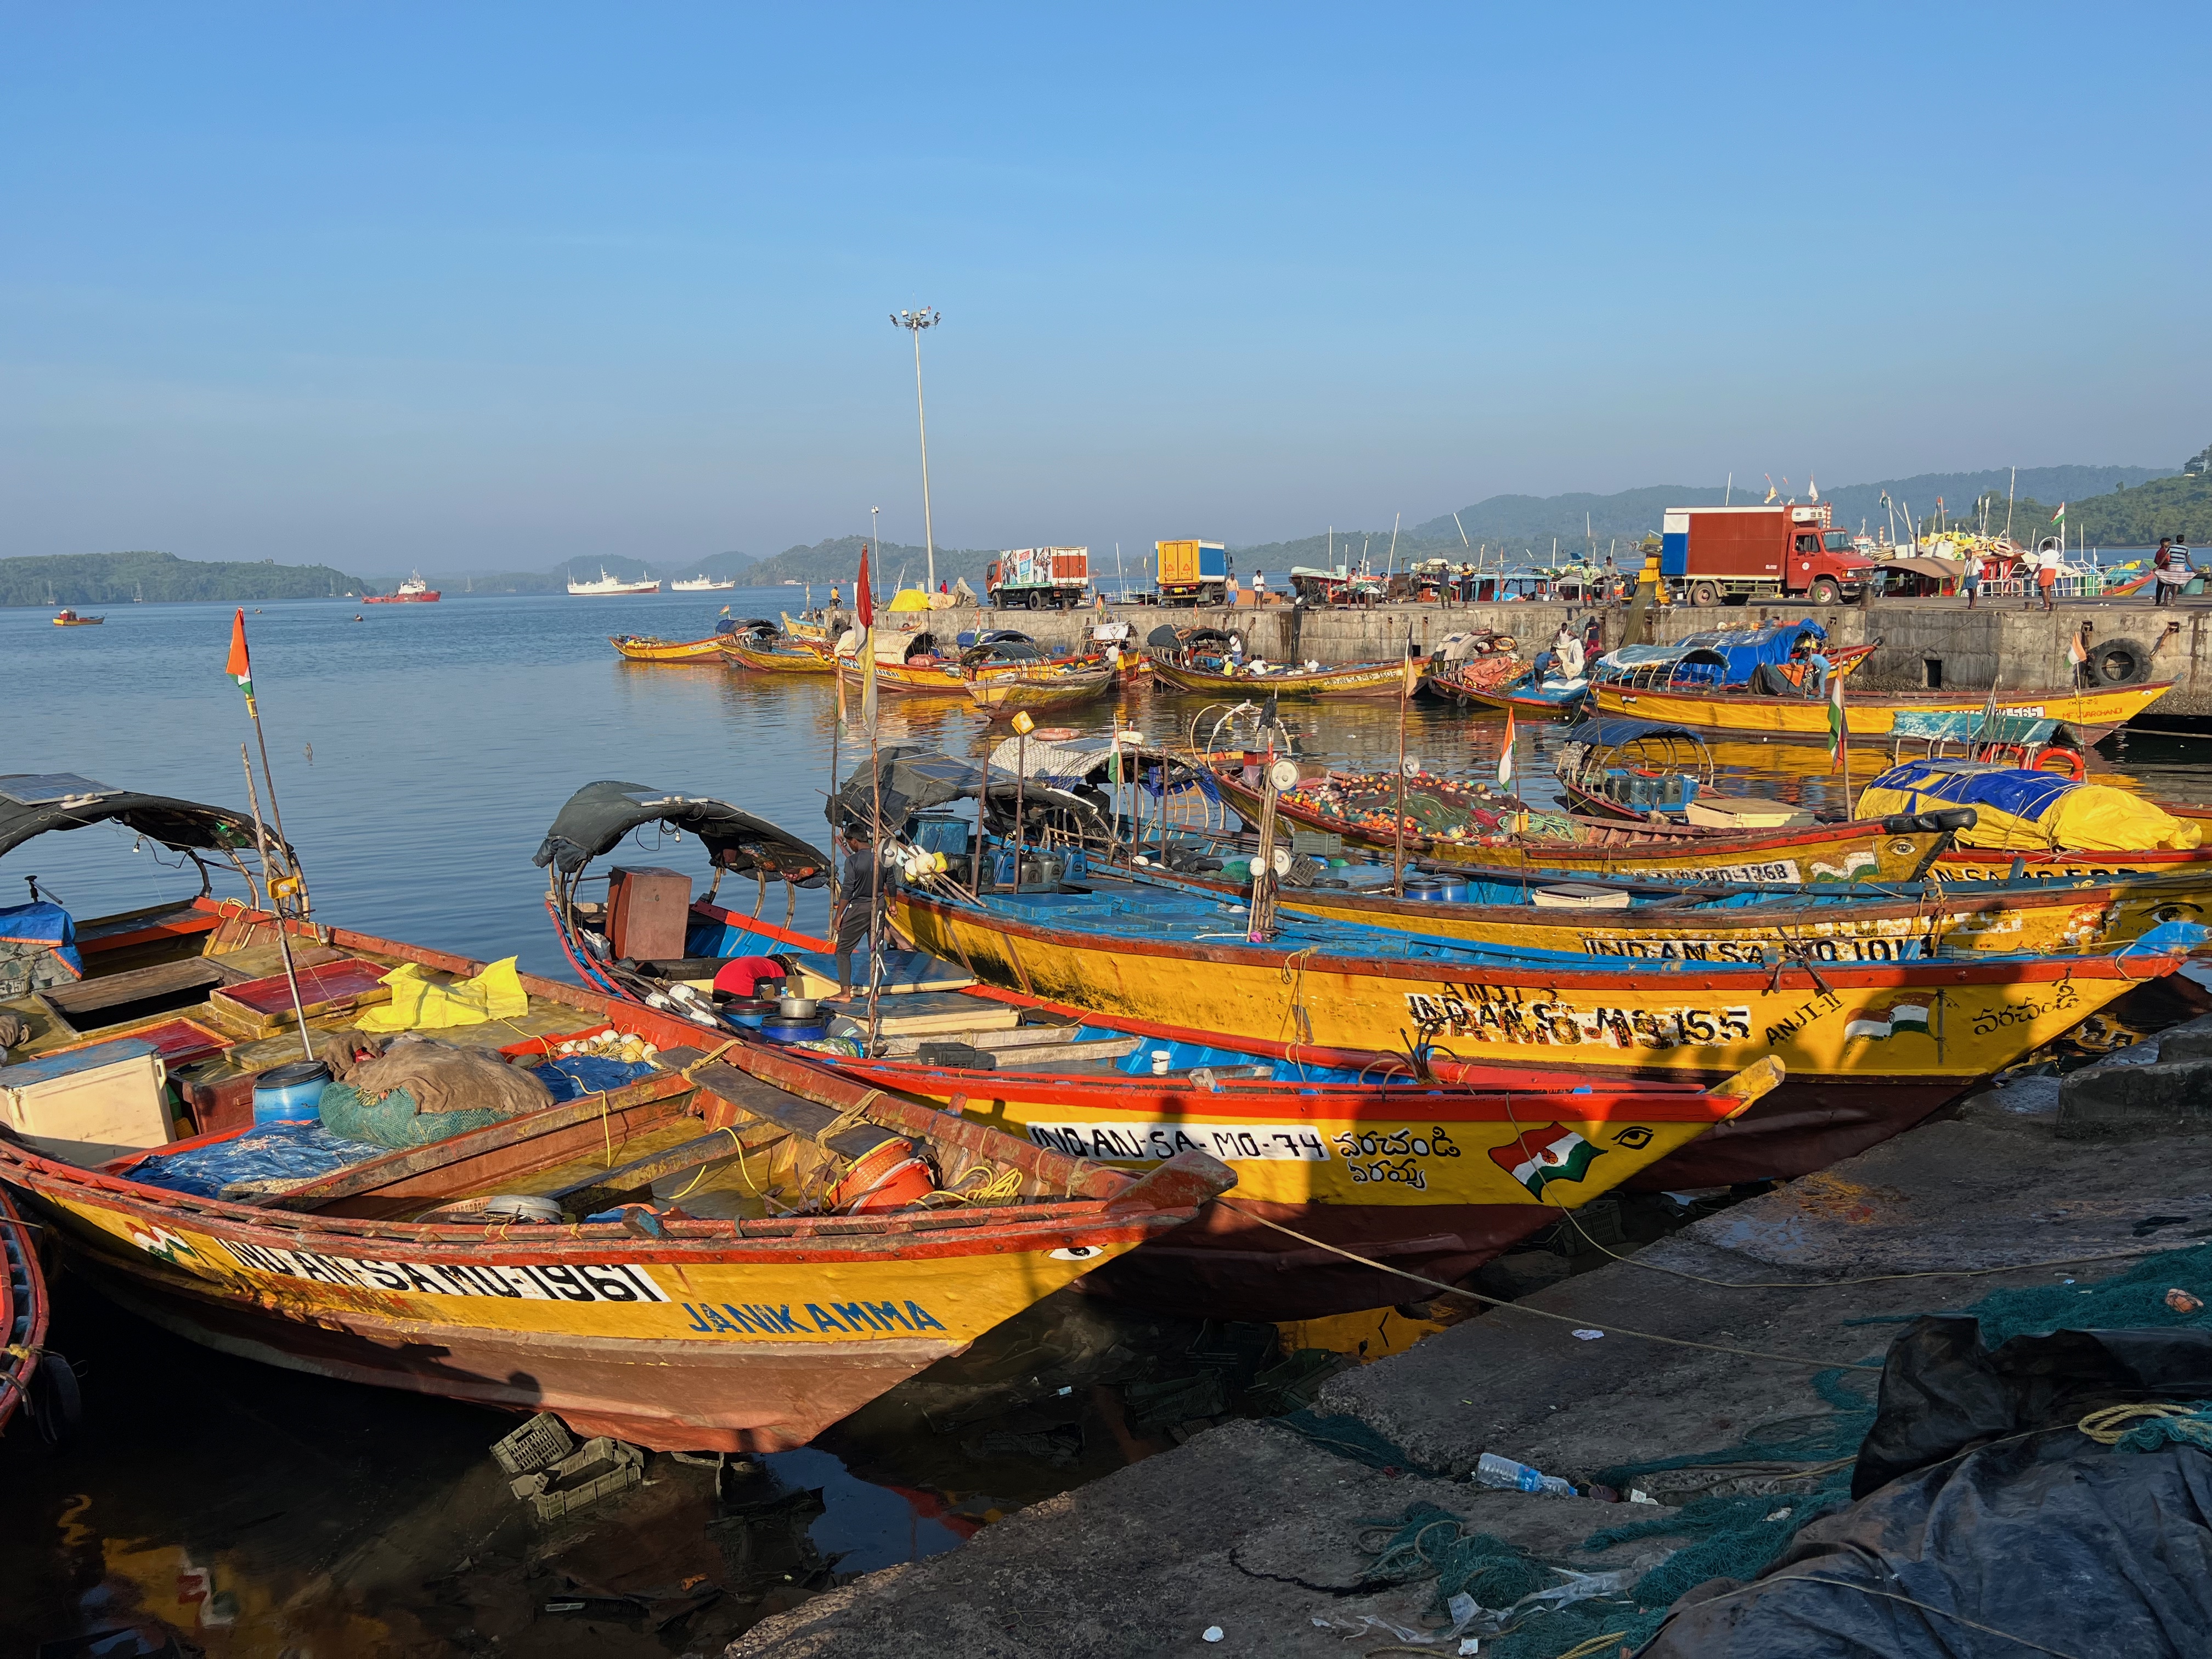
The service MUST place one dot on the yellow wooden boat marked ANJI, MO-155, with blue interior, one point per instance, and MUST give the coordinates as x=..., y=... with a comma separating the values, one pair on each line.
x=1868, y=1047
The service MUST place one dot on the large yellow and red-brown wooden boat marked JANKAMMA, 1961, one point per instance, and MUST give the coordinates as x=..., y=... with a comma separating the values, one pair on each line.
x=831, y=1242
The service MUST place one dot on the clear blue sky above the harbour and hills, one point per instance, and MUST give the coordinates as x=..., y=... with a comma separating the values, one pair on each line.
x=501, y=286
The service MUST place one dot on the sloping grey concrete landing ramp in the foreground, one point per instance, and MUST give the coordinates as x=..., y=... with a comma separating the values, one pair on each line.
x=1253, y=1527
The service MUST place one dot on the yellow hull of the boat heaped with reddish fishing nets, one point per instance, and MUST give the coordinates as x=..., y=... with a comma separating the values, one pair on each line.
x=1822, y=853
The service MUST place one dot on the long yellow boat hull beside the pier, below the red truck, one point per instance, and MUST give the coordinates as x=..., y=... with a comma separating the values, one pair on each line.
x=2087, y=713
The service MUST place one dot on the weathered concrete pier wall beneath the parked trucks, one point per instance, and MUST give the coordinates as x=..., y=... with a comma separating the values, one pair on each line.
x=1926, y=645
